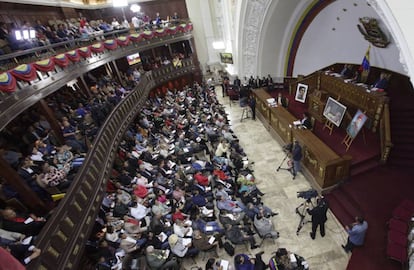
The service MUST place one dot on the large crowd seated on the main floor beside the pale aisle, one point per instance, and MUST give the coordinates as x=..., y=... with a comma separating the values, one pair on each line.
x=174, y=186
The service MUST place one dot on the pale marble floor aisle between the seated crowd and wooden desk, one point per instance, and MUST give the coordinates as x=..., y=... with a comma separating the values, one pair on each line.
x=281, y=196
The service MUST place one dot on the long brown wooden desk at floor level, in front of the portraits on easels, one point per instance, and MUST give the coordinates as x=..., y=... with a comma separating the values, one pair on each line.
x=321, y=163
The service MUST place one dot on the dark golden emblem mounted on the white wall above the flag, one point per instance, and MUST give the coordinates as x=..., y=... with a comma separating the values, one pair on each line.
x=372, y=32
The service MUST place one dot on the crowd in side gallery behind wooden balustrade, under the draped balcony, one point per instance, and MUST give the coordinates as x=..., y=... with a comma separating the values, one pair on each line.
x=30, y=146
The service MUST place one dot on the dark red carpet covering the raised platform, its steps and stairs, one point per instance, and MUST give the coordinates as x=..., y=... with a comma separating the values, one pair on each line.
x=372, y=193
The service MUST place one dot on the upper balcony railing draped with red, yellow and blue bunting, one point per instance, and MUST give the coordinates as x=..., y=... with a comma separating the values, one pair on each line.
x=33, y=82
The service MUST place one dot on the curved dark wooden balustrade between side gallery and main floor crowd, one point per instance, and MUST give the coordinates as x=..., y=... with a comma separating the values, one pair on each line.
x=63, y=238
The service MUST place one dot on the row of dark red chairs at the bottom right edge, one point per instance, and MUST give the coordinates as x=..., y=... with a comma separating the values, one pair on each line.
x=398, y=242
